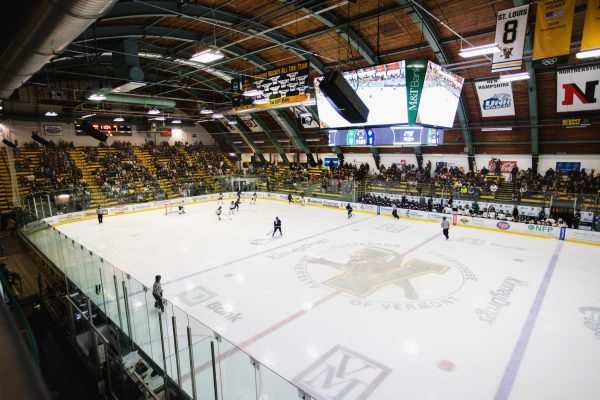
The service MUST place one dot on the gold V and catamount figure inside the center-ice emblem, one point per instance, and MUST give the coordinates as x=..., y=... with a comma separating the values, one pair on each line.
x=372, y=268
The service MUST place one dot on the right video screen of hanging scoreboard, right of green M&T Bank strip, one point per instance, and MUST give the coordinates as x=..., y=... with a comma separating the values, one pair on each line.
x=439, y=97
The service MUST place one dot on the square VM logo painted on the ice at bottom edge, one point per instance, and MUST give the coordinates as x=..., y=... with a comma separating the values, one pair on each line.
x=342, y=374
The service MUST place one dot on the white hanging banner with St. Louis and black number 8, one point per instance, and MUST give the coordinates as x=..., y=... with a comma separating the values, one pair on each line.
x=510, y=36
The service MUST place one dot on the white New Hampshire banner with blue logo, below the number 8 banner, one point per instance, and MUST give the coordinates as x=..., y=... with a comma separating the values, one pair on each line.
x=495, y=98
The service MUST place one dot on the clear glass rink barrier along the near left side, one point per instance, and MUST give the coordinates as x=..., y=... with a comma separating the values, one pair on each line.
x=203, y=363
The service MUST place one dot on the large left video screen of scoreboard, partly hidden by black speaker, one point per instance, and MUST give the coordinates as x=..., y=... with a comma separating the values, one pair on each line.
x=383, y=90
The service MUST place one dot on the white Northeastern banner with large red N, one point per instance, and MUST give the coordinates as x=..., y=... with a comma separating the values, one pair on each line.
x=578, y=88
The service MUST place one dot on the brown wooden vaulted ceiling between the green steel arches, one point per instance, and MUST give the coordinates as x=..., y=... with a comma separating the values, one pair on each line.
x=343, y=35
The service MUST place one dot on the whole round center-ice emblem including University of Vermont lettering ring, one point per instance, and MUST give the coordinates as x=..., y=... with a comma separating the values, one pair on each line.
x=379, y=274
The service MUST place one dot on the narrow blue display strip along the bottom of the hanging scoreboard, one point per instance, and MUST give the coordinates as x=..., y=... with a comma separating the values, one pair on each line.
x=386, y=136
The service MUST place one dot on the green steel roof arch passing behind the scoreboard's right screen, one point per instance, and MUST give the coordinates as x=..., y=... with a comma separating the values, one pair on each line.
x=440, y=53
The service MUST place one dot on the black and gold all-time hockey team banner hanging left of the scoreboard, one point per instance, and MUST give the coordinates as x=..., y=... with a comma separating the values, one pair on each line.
x=282, y=87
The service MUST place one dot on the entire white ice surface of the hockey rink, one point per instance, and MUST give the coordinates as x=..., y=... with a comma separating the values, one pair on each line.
x=371, y=307
